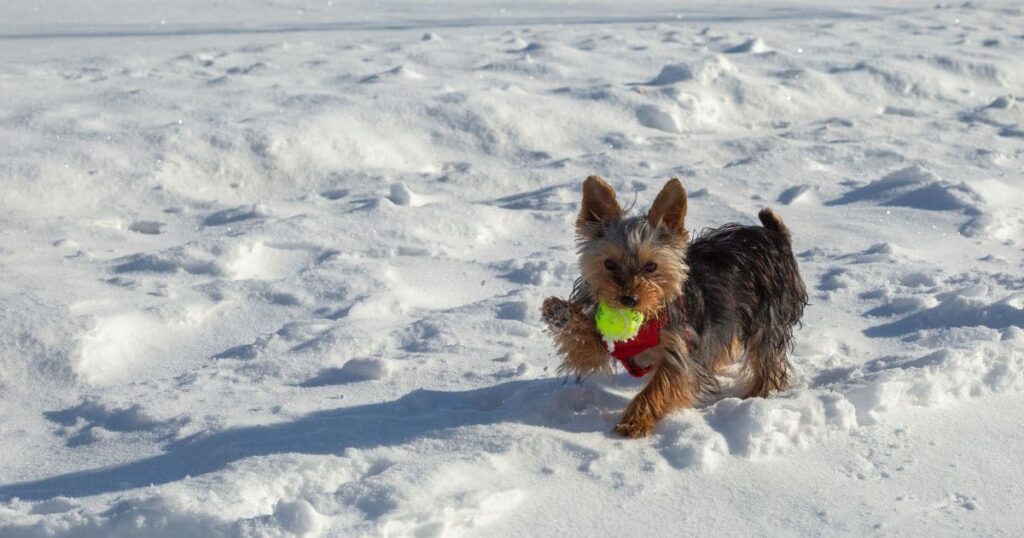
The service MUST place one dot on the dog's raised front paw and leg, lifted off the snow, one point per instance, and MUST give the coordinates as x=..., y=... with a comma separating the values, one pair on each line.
x=576, y=338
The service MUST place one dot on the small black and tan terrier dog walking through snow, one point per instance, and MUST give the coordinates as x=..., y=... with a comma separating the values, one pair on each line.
x=734, y=291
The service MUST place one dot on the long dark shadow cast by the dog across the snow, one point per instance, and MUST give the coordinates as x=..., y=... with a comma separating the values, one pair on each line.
x=421, y=413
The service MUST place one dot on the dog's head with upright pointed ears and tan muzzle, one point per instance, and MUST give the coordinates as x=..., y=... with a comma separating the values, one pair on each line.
x=633, y=262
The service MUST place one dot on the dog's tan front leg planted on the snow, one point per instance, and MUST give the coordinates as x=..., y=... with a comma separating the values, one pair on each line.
x=676, y=383
